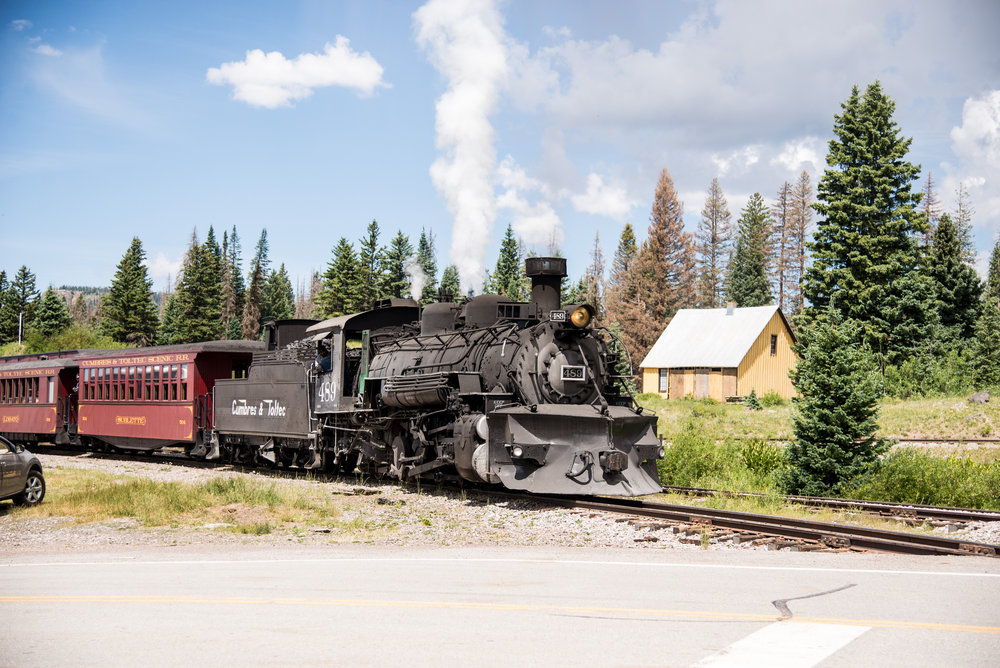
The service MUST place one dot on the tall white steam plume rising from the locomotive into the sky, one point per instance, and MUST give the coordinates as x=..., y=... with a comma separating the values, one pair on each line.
x=465, y=42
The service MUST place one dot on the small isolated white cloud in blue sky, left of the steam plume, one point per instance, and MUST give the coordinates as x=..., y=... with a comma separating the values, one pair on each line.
x=270, y=80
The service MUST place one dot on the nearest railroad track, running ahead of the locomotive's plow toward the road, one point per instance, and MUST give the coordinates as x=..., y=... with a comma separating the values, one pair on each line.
x=808, y=534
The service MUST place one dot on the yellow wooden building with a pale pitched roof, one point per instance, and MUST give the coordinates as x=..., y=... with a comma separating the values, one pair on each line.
x=722, y=353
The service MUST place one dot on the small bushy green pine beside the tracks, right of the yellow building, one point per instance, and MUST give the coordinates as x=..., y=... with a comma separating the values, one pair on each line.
x=836, y=412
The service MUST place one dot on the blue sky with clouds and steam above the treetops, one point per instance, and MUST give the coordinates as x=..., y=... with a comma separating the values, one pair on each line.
x=310, y=119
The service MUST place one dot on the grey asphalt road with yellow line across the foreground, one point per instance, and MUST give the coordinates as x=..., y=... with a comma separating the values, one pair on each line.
x=368, y=606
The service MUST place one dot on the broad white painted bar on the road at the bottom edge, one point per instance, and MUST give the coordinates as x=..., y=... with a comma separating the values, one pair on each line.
x=785, y=644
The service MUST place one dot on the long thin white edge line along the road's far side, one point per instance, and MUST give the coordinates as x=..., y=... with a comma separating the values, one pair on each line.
x=477, y=560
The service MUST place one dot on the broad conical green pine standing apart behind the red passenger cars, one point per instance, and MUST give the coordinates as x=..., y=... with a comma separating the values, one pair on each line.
x=128, y=312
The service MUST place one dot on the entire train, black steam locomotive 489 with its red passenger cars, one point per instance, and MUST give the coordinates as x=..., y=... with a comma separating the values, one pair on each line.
x=492, y=391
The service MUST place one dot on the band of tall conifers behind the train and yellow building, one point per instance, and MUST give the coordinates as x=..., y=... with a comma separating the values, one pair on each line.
x=882, y=255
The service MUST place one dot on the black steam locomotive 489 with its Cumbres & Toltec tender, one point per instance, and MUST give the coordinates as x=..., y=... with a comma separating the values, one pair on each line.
x=495, y=391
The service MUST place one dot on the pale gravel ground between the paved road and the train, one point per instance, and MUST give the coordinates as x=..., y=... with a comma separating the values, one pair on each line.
x=383, y=514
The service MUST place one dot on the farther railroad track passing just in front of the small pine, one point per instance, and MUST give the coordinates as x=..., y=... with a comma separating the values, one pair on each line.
x=900, y=511
